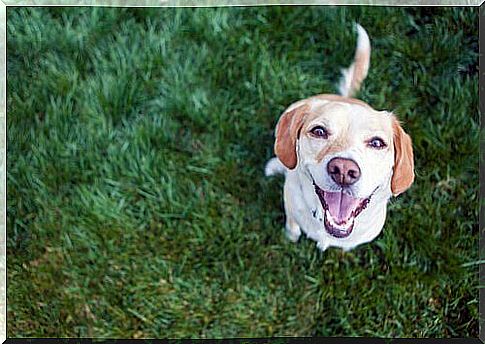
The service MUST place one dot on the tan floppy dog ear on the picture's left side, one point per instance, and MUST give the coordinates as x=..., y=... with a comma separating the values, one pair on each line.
x=287, y=132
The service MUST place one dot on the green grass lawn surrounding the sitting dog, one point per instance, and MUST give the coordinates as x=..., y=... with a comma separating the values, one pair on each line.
x=137, y=202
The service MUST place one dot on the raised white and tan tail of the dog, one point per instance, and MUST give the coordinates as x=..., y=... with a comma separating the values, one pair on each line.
x=353, y=76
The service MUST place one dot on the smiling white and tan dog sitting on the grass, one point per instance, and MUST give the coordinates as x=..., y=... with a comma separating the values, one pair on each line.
x=342, y=160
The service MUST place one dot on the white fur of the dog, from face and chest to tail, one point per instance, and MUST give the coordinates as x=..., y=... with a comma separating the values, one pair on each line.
x=352, y=122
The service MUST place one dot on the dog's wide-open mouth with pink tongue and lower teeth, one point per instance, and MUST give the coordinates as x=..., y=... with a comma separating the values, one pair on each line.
x=340, y=211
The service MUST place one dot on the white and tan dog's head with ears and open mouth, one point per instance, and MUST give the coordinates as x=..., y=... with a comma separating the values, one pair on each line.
x=355, y=157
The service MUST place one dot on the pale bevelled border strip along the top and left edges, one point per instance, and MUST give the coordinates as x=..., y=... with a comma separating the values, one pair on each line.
x=132, y=3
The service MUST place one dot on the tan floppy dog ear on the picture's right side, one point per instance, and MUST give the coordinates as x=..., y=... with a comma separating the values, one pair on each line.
x=403, y=174
